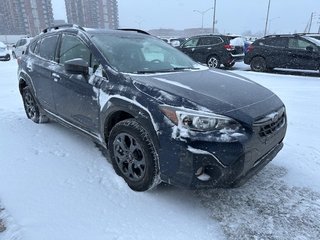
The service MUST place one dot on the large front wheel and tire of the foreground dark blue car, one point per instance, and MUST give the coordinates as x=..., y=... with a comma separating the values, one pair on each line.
x=133, y=154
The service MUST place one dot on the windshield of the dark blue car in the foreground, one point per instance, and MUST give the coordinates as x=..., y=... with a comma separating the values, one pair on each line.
x=141, y=54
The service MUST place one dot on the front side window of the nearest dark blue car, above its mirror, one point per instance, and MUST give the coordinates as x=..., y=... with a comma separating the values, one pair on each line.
x=72, y=47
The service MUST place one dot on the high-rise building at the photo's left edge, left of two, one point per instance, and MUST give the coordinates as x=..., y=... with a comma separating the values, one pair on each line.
x=27, y=17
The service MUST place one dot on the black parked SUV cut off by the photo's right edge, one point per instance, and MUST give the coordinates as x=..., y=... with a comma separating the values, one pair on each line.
x=292, y=51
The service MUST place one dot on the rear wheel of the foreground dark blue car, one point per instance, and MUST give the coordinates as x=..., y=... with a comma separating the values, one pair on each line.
x=31, y=107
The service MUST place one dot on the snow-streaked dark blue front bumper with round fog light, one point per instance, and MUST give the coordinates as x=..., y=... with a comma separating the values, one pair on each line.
x=205, y=164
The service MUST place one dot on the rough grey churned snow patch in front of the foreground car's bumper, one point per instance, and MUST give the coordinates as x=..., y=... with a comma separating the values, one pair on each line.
x=265, y=208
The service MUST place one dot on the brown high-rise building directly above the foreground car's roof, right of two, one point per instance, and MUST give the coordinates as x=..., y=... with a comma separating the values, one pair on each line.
x=93, y=13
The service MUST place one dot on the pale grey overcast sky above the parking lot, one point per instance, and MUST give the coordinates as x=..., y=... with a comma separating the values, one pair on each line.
x=233, y=16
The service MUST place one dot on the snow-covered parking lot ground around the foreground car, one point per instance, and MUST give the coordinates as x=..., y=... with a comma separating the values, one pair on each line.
x=55, y=184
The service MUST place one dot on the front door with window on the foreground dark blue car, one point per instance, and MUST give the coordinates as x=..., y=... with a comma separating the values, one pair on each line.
x=76, y=100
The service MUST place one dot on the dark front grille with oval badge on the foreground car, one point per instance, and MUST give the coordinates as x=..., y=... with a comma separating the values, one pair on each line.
x=269, y=124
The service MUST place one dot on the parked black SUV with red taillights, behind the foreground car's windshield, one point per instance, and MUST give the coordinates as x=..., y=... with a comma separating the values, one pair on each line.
x=213, y=50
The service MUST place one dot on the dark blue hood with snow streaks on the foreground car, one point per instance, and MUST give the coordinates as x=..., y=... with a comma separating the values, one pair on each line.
x=212, y=90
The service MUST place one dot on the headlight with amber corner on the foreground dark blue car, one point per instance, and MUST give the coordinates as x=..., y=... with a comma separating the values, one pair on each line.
x=199, y=121
